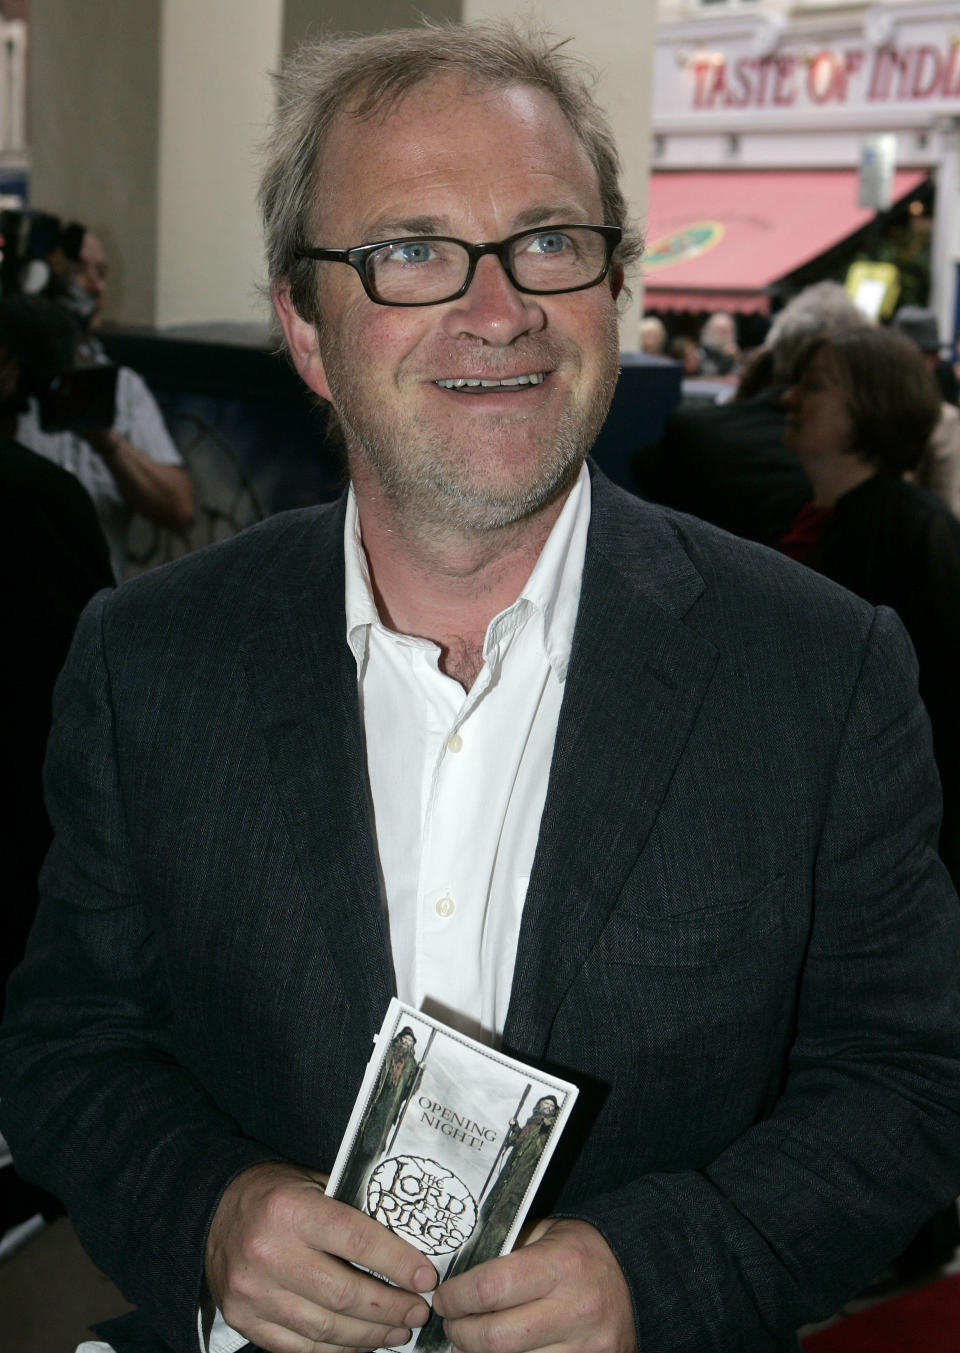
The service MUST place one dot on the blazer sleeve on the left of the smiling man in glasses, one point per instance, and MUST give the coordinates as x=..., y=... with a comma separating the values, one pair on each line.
x=91, y=1098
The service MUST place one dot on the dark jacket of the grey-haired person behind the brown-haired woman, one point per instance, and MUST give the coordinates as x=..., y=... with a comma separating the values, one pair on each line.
x=727, y=465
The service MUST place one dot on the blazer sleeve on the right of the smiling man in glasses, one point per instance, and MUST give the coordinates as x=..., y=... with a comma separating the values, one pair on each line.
x=865, y=1141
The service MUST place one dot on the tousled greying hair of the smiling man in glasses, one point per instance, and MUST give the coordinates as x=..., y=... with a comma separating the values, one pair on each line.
x=377, y=71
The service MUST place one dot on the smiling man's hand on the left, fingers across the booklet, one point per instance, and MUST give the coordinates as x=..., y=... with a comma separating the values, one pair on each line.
x=278, y=1264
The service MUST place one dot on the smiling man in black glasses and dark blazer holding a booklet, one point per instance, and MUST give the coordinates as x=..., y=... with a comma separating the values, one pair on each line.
x=624, y=795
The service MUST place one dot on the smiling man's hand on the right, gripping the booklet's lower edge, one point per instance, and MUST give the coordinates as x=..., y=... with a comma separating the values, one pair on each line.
x=562, y=1290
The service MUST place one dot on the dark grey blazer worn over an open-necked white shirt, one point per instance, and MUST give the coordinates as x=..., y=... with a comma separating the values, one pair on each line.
x=738, y=937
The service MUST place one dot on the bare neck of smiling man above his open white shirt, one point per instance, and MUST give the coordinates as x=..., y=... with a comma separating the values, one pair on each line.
x=448, y=585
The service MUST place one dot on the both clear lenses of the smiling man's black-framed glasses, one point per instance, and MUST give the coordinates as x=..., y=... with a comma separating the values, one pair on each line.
x=436, y=270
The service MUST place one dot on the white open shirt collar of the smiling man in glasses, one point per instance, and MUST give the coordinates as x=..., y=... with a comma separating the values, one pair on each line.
x=552, y=589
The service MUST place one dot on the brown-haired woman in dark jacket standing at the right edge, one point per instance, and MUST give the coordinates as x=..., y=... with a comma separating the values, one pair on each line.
x=859, y=419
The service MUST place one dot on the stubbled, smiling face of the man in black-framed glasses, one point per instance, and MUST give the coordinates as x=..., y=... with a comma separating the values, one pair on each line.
x=478, y=164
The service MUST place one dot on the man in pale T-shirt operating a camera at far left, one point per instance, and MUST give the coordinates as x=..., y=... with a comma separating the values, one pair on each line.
x=132, y=466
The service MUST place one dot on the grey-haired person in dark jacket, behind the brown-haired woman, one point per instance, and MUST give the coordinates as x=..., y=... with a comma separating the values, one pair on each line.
x=728, y=463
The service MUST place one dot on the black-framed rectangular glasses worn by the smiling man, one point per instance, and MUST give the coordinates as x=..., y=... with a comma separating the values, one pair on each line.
x=429, y=270
